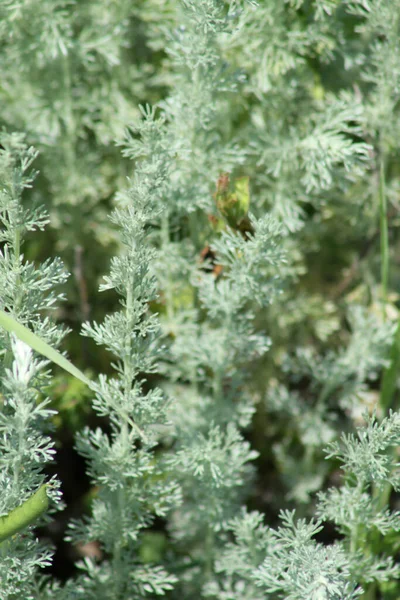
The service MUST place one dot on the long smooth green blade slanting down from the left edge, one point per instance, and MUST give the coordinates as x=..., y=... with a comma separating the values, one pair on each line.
x=36, y=343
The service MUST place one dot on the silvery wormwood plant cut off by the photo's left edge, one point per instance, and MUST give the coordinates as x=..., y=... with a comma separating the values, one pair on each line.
x=25, y=446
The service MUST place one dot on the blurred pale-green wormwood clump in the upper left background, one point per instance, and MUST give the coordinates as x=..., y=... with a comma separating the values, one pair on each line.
x=72, y=78
